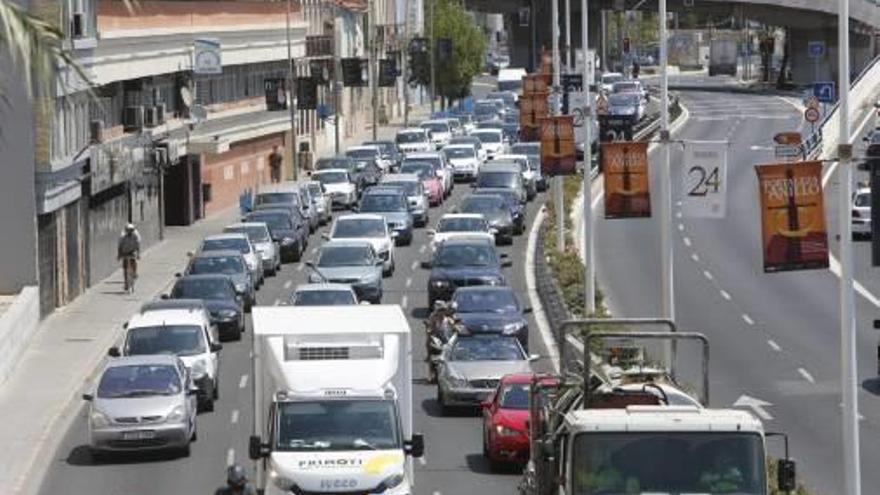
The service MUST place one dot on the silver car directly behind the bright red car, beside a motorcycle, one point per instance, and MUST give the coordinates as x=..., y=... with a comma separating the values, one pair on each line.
x=471, y=366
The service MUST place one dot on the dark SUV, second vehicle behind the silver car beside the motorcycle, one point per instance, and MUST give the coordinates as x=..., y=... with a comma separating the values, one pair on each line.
x=461, y=263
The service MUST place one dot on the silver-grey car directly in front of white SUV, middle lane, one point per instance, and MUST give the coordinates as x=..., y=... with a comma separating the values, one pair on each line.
x=352, y=262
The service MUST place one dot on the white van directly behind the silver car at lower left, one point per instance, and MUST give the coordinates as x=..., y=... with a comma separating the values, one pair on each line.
x=184, y=332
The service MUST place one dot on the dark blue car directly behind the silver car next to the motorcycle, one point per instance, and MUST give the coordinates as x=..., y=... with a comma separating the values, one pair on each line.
x=487, y=309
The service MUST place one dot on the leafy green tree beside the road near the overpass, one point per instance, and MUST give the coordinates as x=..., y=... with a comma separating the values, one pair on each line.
x=455, y=75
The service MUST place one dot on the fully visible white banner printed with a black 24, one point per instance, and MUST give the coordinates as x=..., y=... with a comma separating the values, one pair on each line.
x=704, y=180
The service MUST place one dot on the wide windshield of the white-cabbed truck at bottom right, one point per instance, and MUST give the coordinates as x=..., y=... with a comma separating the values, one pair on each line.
x=668, y=462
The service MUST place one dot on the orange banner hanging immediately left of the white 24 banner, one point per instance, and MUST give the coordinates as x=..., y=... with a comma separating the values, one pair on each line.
x=627, y=182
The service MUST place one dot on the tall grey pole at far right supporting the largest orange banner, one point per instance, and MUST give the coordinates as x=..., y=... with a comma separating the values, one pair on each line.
x=848, y=360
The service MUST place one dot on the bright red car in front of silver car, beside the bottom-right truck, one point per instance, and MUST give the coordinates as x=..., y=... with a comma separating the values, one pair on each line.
x=505, y=413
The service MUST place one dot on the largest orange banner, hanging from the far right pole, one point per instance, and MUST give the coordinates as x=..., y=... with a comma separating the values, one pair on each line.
x=794, y=235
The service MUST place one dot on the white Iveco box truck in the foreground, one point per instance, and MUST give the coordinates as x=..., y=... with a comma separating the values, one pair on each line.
x=333, y=400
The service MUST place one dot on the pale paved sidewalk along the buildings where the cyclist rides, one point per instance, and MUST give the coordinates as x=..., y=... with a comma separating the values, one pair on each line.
x=40, y=400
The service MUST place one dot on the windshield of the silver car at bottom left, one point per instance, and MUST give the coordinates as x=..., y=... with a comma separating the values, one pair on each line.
x=138, y=380
